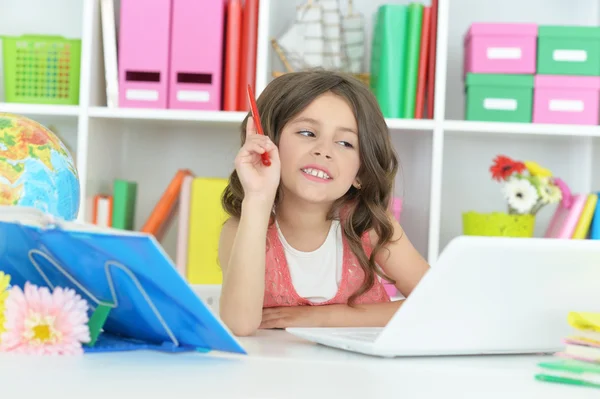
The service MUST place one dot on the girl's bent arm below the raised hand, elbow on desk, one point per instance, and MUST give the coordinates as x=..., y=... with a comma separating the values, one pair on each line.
x=242, y=260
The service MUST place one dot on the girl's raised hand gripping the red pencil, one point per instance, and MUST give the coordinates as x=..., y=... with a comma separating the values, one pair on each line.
x=257, y=179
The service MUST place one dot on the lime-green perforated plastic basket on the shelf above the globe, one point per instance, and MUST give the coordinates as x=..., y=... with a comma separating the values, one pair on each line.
x=41, y=69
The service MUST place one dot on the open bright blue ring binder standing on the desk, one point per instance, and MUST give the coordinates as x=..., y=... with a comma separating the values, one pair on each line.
x=152, y=306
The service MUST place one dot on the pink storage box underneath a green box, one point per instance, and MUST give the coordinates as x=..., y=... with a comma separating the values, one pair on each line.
x=566, y=99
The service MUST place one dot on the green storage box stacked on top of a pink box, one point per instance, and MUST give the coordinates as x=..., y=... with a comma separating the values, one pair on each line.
x=568, y=50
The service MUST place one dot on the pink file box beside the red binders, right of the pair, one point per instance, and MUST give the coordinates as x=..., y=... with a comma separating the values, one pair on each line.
x=197, y=54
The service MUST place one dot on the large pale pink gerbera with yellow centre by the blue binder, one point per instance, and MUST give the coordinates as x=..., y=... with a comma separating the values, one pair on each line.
x=38, y=321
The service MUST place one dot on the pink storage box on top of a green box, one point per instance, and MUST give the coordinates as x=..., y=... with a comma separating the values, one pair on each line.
x=500, y=48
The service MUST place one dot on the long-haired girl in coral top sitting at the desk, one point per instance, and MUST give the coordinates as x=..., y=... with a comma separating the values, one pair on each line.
x=313, y=228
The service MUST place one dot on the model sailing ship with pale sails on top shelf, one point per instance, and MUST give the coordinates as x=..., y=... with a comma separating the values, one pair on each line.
x=321, y=35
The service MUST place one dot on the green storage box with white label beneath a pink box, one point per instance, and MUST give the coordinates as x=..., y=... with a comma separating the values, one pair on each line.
x=499, y=98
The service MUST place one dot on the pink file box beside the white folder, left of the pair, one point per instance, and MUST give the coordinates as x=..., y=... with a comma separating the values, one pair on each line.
x=144, y=53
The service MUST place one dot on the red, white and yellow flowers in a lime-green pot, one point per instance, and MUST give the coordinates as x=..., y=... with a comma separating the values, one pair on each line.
x=527, y=187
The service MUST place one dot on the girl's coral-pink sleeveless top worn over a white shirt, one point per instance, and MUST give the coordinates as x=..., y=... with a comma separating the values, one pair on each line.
x=279, y=289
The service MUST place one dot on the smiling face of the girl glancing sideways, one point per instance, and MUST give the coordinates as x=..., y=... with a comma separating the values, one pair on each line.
x=319, y=151
